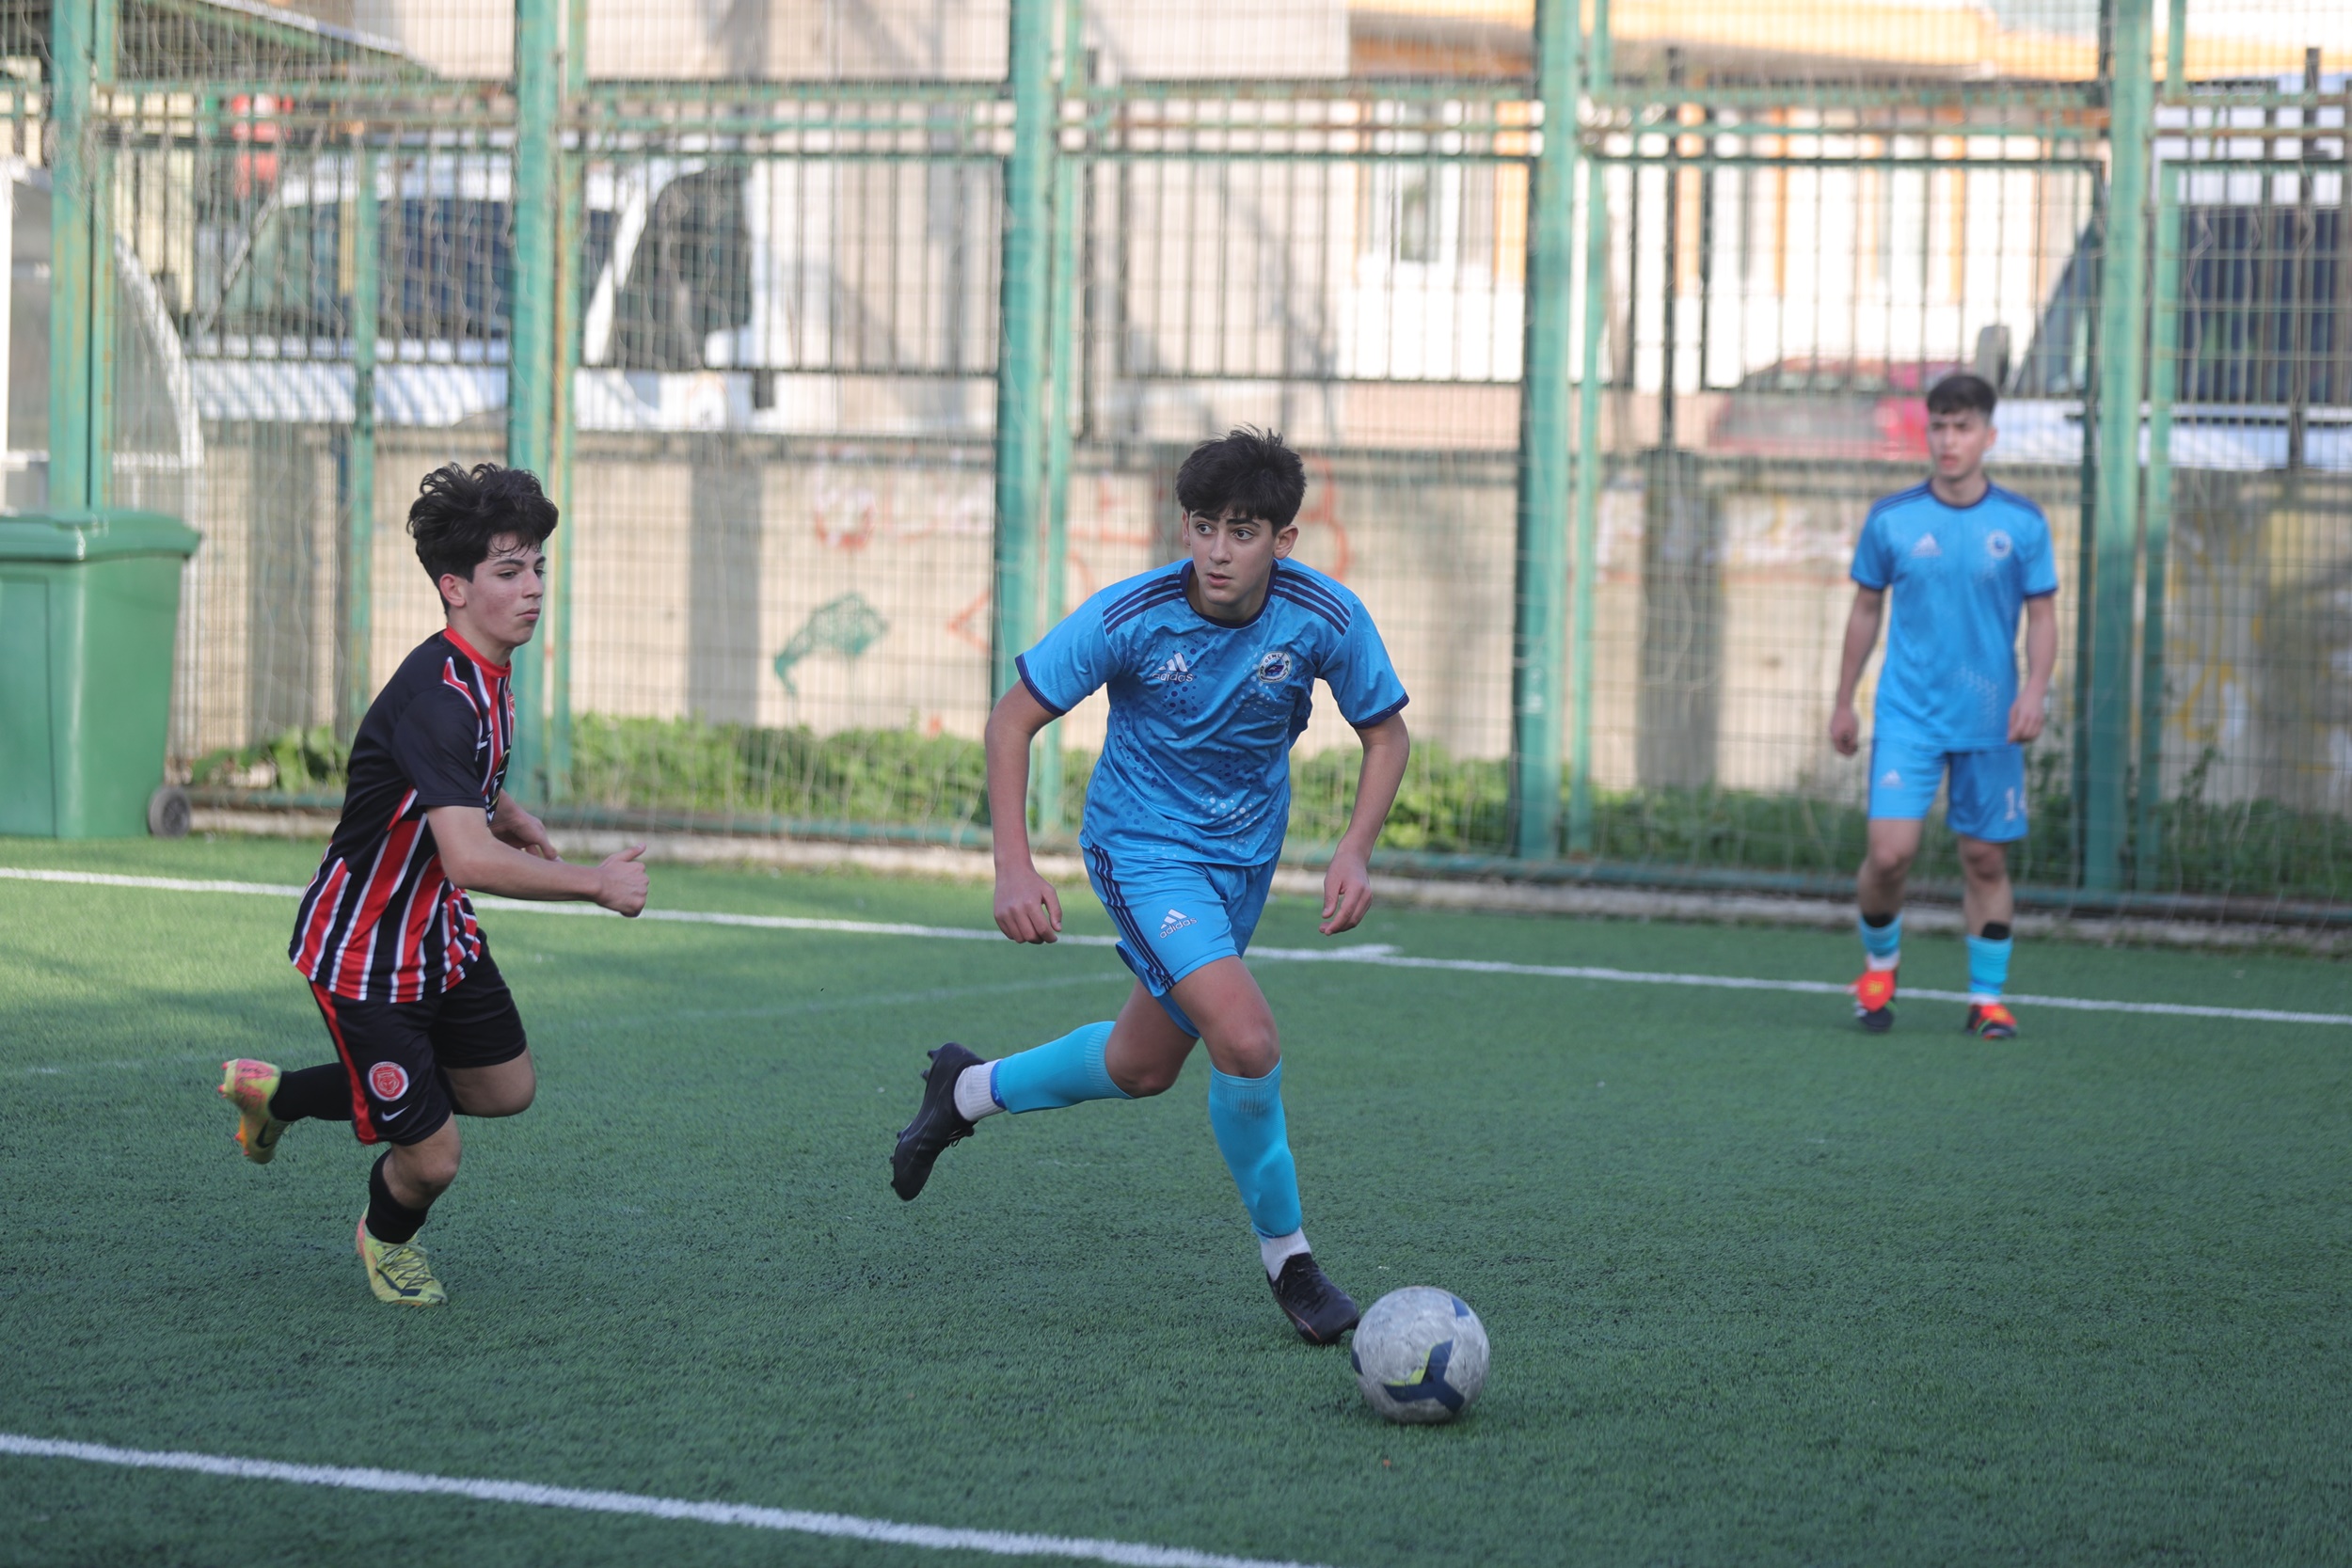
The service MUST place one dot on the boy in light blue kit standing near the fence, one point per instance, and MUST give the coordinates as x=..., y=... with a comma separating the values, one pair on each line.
x=1963, y=558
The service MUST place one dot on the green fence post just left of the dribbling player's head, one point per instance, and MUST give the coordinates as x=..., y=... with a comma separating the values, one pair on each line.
x=1022, y=340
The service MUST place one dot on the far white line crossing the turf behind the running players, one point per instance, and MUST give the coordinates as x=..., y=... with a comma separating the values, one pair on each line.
x=1370, y=953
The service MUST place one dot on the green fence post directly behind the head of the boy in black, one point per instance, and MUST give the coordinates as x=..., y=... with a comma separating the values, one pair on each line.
x=530, y=356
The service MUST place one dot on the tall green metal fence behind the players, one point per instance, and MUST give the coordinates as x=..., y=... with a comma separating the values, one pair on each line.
x=862, y=340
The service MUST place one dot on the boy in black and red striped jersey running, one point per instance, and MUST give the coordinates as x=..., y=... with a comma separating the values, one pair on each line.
x=422, y=1024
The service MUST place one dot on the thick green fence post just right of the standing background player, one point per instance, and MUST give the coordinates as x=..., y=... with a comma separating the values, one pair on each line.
x=2123, y=359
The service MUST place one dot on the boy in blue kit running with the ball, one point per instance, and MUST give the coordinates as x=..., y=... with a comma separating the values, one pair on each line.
x=1212, y=669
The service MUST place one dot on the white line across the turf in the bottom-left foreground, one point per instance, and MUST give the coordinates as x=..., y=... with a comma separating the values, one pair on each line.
x=799, y=1522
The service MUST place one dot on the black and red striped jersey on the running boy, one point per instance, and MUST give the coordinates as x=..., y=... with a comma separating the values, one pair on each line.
x=380, y=920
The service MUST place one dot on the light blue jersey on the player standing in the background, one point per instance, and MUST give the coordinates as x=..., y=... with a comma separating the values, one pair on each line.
x=1960, y=577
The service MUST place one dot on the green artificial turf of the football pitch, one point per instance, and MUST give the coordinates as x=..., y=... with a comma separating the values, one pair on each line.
x=1760, y=1289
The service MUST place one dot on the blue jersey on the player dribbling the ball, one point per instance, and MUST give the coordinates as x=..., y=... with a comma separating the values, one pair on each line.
x=1203, y=716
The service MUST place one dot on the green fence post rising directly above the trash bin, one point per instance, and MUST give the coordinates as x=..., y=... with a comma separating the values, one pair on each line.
x=74, y=255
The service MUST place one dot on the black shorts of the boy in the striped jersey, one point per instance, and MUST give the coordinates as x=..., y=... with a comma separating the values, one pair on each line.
x=399, y=1054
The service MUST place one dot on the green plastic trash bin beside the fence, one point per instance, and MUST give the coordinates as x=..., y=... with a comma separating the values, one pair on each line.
x=88, y=617
